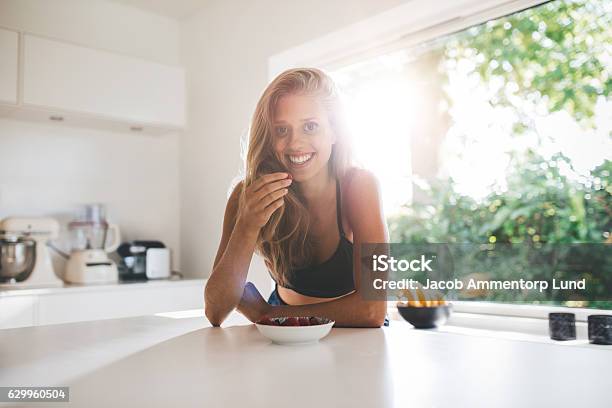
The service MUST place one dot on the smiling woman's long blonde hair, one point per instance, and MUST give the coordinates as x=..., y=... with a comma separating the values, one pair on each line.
x=284, y=242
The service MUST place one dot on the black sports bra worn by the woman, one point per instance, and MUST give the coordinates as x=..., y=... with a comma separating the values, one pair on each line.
x=333, y=277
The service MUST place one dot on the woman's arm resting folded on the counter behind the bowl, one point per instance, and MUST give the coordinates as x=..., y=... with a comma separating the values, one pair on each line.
x=368, y=224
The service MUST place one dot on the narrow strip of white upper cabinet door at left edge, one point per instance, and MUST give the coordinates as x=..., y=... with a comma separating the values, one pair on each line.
x=9, y=51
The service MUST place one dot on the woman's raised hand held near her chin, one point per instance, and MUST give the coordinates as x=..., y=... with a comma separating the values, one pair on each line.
x=261, y=199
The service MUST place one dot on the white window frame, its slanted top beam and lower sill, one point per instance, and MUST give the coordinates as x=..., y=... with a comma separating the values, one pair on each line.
x=403, y=27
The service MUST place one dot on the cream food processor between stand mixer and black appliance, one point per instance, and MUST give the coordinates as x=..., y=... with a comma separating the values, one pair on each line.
x=88, y=261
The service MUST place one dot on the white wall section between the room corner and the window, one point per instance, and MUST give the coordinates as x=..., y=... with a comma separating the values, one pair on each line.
x=225, y=50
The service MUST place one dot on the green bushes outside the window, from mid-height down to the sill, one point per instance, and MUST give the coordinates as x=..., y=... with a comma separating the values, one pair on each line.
x=542, y=209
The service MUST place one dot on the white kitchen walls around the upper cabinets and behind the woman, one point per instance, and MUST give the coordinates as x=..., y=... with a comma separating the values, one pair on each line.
x=225, y=49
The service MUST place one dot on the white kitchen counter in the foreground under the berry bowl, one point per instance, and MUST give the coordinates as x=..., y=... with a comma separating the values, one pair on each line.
x=177, y=359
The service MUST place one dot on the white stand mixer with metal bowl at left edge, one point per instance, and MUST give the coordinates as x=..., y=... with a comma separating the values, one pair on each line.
x=24, y=257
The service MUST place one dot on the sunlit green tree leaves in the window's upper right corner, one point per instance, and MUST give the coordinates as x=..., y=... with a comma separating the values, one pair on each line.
x=557, y=54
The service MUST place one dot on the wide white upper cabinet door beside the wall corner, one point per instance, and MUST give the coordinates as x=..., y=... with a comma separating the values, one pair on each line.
x=72, y=78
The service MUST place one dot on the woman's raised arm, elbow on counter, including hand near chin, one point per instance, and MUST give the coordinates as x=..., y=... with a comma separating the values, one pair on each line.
x=241, y=225
